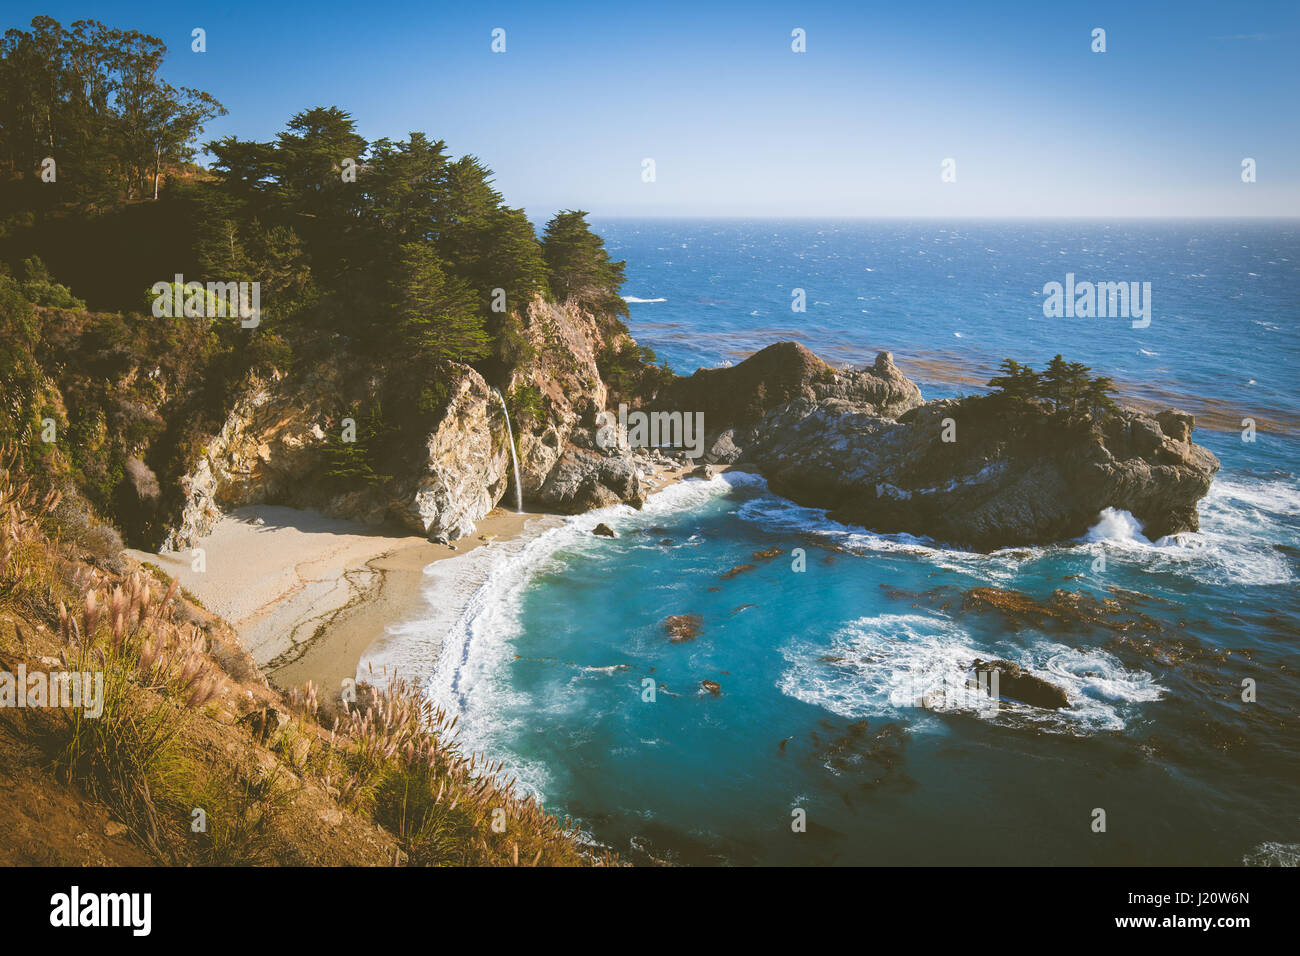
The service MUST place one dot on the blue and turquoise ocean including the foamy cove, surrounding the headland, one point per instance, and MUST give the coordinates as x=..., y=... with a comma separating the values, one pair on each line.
x=547, y=646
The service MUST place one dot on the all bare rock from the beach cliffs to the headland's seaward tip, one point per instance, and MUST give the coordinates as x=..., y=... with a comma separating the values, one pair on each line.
x=860, y=443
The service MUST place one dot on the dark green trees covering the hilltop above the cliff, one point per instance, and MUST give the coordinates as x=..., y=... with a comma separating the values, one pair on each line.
x=393, y=249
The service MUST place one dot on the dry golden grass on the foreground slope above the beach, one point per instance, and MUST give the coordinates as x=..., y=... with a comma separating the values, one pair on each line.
x=395, y=760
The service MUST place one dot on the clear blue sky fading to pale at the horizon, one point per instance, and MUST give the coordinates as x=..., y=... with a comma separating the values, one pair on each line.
x=740, y=126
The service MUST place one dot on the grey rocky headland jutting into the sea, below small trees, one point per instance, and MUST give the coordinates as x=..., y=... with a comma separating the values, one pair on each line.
x=864, y=447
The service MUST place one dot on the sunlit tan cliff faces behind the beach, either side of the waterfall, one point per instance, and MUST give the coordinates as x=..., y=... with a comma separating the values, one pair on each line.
x=274, y=442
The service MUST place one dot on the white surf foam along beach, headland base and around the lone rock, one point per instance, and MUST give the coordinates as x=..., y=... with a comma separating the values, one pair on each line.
x=476, y=599
